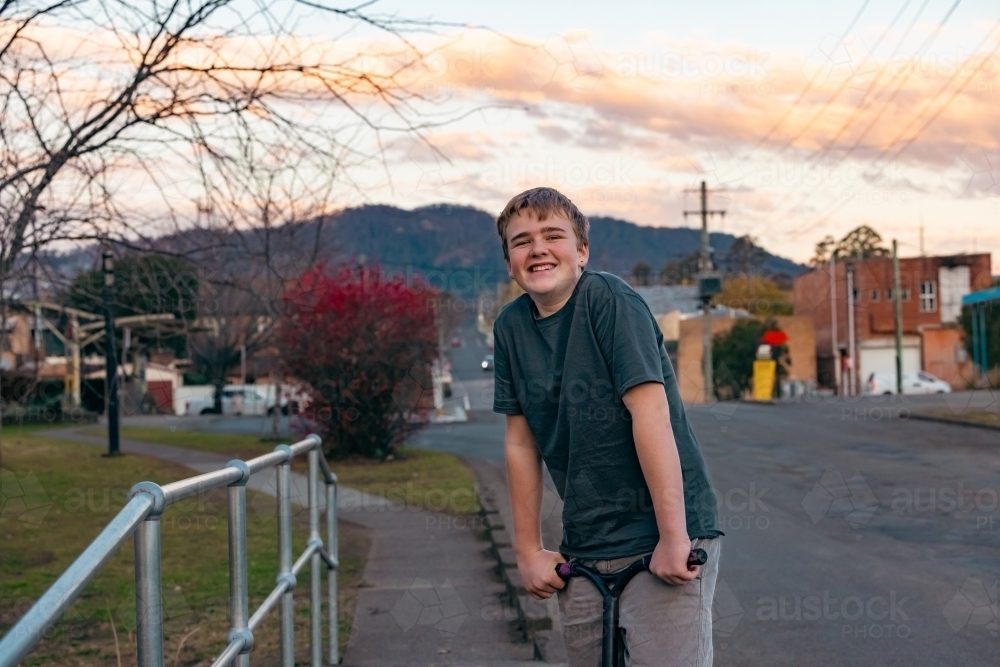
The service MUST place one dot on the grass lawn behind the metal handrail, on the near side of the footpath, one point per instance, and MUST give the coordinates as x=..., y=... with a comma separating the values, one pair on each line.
x=59, y=495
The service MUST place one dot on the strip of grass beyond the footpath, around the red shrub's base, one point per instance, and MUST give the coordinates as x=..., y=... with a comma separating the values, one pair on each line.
x=433, y=480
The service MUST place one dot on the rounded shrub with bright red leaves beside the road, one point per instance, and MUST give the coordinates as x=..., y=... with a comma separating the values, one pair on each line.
x=365, y=345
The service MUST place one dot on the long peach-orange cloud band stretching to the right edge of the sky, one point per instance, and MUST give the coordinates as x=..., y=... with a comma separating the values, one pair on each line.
x=737, y=95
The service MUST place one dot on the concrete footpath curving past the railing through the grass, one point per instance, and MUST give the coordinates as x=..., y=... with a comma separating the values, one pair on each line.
x=431, y=595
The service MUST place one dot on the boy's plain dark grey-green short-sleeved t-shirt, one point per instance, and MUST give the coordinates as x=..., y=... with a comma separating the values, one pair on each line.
x=566, y=374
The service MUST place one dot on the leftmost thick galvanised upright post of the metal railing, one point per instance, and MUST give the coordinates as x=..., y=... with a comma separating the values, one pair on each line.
x=148, y=592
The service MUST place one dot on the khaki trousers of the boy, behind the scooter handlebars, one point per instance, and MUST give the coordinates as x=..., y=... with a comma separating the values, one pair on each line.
x=661, y=625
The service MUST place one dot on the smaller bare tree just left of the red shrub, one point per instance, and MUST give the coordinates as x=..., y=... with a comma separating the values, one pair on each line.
x=267, y=206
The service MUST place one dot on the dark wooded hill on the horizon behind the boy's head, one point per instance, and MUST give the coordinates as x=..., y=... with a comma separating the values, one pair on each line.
x=455, y=247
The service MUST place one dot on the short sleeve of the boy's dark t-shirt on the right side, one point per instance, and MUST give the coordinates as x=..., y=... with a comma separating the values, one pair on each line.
x=628, y=338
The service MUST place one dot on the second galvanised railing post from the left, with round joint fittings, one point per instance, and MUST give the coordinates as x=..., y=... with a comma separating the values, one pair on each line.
x=239, y=595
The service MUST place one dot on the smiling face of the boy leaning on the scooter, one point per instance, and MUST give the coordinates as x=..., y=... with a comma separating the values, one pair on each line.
x=546, y=260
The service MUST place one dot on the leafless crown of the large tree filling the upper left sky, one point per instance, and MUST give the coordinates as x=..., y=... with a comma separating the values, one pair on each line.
x=124, y=120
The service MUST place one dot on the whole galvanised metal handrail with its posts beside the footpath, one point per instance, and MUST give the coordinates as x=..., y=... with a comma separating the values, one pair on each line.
x=141, y=517
